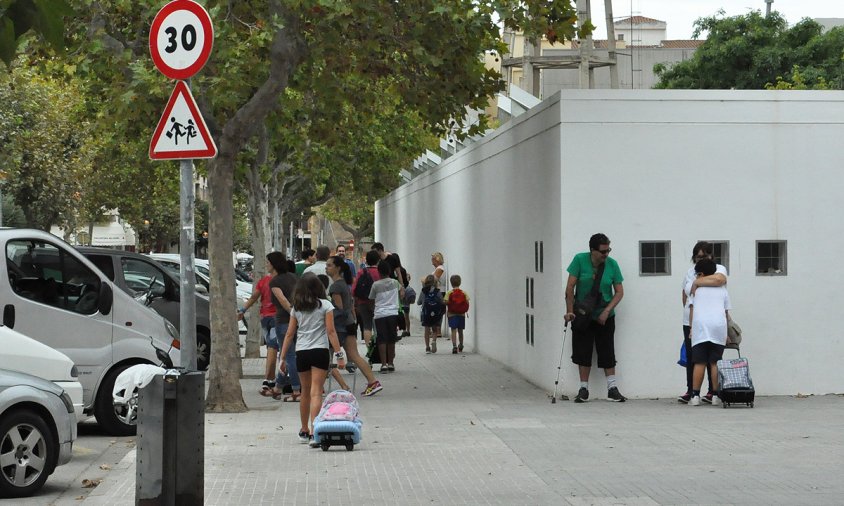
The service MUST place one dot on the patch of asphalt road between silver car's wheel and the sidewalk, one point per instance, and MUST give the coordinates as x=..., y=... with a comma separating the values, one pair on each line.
x=94, y=454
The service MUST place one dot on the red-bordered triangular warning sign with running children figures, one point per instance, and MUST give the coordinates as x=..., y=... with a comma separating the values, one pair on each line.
x=181, y=132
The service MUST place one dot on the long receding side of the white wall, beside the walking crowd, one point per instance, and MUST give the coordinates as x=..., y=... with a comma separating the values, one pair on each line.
x=484, y=209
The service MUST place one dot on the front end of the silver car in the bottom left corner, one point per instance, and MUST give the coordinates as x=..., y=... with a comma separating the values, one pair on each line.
x=37, y=430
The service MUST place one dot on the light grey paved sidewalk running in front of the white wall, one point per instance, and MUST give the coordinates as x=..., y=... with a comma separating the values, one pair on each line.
x=461, y=429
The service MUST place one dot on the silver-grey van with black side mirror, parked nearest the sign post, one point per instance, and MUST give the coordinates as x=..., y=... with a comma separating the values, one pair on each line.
x=53, y=294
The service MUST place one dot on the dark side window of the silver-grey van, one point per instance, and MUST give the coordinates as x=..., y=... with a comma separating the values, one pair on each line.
x=43, y=272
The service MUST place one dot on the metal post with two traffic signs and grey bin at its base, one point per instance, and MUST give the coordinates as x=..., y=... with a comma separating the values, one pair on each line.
x=171, y=425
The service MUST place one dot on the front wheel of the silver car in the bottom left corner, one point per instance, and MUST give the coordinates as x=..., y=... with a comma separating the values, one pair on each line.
x=28, y=453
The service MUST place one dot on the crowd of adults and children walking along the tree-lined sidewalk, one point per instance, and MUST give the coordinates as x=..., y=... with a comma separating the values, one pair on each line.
x=311, y=316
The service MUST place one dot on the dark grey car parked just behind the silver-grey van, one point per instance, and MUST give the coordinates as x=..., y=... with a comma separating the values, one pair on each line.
x=152, y=283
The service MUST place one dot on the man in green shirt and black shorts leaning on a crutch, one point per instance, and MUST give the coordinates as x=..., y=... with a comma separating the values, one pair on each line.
x=600, y=332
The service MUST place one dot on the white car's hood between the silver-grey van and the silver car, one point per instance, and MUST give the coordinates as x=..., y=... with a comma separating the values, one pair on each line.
x=22, y=354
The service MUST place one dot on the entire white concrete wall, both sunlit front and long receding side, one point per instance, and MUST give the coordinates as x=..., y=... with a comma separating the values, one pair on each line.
x=739, y=166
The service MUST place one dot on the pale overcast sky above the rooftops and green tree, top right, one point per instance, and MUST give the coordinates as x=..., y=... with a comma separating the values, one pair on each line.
x=681, y=14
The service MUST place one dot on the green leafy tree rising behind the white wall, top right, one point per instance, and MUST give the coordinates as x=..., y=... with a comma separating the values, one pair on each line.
x=752, y=51
